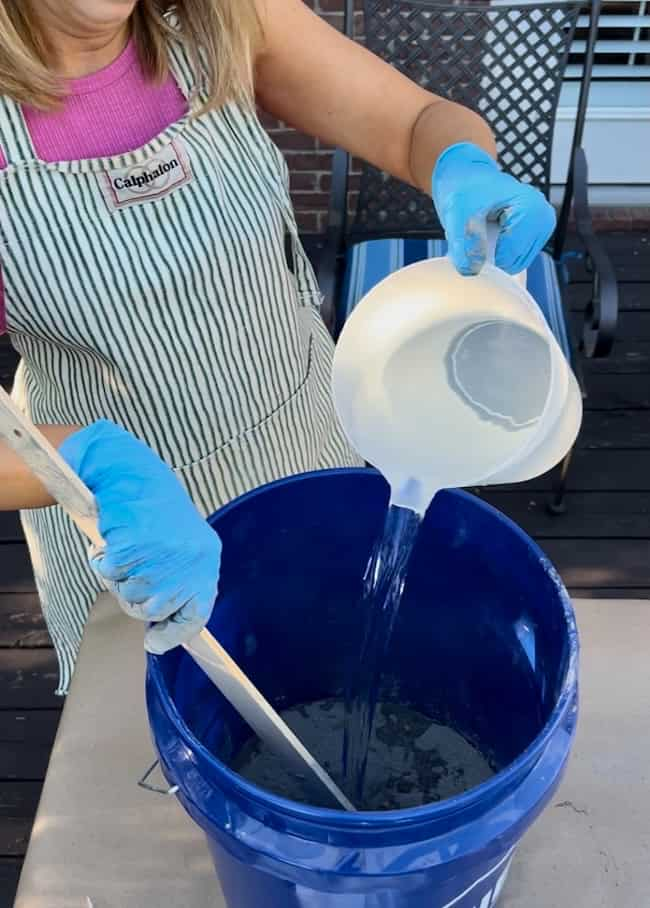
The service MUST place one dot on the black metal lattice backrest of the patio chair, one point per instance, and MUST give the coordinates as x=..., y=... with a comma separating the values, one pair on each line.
x=507, y=62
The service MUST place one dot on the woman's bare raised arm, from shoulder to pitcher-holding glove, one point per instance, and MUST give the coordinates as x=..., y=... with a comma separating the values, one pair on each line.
x=311, y=77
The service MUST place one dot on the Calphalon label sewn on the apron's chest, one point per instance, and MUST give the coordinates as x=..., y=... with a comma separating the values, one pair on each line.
x=149, y=180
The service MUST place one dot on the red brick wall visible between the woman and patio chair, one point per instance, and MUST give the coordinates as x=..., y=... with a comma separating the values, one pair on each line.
x=310, y=160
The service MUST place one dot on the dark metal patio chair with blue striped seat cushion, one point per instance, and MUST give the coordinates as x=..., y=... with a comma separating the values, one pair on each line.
x=508, y=62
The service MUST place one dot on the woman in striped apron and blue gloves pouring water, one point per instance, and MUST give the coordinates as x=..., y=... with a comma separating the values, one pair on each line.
x=169, y=345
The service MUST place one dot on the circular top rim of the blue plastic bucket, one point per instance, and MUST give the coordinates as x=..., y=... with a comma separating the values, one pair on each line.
x=413, y=816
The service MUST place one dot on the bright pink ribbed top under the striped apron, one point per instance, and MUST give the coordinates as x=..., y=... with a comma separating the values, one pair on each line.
x=110, y=112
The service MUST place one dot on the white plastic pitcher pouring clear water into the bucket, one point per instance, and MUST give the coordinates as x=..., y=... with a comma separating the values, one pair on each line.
x=444, y=381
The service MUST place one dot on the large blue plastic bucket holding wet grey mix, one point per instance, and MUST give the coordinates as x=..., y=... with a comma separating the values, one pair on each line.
x=485, y=642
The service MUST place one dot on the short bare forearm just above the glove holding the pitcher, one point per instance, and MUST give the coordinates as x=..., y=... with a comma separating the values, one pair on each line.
x=441, y=124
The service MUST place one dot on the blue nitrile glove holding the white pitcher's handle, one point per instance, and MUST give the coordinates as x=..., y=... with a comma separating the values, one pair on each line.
x=468, y=189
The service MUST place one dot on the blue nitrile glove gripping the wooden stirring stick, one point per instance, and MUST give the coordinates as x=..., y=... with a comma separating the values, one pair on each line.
x=161, y=558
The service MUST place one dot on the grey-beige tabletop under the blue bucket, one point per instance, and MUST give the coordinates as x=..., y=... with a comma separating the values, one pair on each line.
x=101, y=841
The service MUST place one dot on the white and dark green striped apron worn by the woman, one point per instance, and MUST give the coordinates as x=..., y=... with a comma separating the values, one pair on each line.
x=167, y=290
